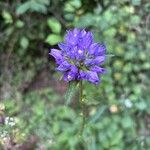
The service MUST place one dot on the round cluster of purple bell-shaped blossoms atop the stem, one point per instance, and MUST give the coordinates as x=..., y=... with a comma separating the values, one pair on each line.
x=80, y=58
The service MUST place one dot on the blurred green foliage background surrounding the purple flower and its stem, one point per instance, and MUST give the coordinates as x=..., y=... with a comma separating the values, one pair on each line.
x=32, y=111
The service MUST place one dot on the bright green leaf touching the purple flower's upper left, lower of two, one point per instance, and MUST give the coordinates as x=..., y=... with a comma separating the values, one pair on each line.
x=53, y=39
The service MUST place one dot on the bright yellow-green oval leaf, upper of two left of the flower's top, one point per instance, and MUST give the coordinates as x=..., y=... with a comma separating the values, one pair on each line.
x=54, y=25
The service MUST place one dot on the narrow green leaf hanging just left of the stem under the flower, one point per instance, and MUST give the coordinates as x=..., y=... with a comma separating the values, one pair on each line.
x=70, y=92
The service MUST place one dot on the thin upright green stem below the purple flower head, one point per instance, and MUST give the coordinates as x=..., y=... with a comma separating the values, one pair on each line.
x=81, y=100
